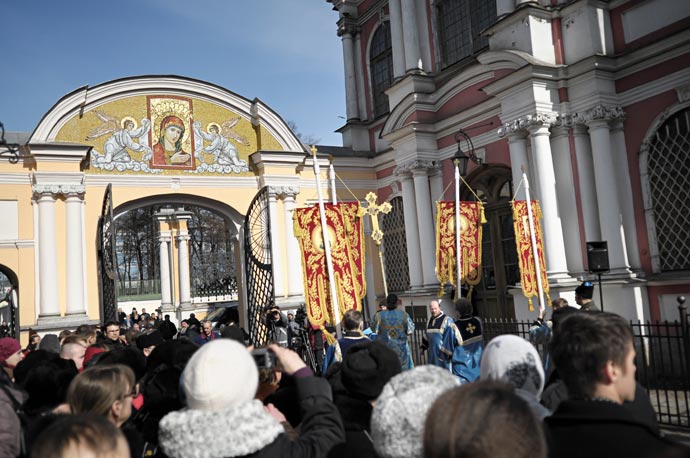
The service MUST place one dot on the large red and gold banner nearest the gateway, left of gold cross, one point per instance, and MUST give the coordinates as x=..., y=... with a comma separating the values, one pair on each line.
x=307, y=226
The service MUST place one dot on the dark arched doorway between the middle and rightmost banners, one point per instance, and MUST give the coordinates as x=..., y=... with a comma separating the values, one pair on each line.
x=493, y=185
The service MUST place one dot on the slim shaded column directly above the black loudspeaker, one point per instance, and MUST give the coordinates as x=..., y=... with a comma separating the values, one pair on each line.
x=588, y=191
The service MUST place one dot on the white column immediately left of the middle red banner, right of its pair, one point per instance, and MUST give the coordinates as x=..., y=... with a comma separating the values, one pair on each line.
x=425, y=221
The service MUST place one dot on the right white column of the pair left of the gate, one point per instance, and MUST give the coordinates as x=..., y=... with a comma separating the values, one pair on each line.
x=74, y=262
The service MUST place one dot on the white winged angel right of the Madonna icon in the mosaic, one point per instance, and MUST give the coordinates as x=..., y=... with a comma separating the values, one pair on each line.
x=224, y=152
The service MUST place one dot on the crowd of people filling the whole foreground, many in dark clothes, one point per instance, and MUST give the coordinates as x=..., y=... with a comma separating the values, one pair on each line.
x=136, y=387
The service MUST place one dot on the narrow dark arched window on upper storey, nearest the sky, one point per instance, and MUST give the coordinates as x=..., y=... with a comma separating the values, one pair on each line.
x=381, y=67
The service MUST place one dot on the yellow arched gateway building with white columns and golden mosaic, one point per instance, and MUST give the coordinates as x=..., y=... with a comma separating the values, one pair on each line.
x=169, y=143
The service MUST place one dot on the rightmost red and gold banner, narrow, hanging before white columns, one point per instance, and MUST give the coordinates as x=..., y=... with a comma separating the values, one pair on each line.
x=523, y=242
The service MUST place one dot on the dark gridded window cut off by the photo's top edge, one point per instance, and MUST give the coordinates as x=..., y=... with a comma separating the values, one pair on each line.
x=458, y=25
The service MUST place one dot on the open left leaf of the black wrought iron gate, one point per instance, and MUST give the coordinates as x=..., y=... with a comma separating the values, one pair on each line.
x=107, y=259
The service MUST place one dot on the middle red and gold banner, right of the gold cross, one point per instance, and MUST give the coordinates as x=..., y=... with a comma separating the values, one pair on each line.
x=471, y=220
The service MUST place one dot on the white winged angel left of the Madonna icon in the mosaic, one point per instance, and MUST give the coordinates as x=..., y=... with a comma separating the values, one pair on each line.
x=123, y=131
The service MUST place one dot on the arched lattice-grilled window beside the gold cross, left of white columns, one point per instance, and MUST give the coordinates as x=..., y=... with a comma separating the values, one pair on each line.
x=395, y=247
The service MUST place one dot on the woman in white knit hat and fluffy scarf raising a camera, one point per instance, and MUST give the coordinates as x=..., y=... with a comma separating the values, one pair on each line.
x=223, y=419
